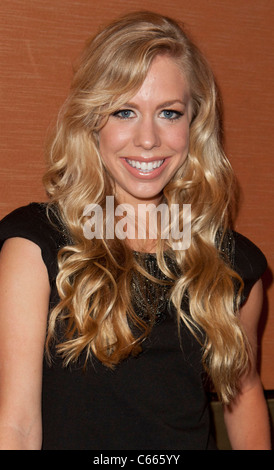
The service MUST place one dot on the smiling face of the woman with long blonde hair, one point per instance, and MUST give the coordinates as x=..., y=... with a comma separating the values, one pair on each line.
x=145, y=141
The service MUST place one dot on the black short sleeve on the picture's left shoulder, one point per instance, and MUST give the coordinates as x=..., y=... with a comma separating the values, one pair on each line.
x=31, y=222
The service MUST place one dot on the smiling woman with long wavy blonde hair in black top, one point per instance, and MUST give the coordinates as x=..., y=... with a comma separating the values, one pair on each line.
x=137, y=328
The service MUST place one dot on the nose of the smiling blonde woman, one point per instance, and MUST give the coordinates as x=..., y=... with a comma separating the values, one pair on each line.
x=147, y=134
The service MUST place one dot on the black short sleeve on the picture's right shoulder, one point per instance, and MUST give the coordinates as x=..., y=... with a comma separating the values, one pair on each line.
x=249, y=262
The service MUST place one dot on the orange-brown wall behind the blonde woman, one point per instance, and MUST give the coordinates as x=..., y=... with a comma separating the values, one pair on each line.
x=39, y=41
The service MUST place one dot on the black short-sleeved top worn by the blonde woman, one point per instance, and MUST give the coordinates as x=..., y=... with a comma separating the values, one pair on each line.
x=155, y=401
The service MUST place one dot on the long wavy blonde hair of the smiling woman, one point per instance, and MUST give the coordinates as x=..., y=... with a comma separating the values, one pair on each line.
x=95, y=276
